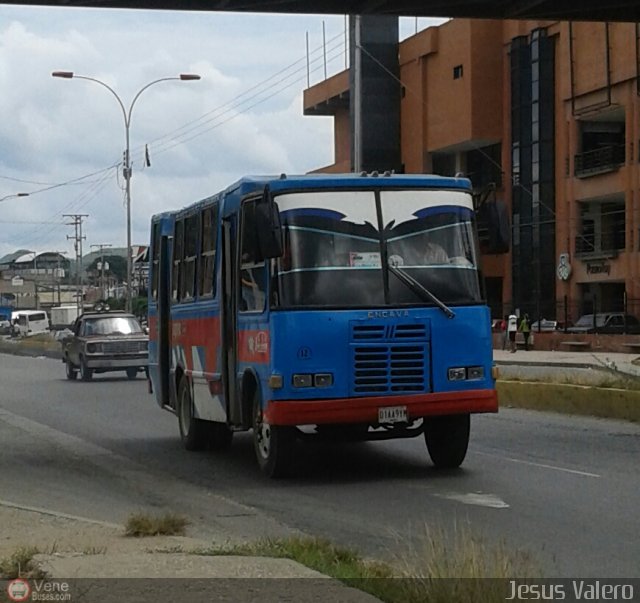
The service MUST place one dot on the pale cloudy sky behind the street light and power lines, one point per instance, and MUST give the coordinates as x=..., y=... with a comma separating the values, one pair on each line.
x=62, y=140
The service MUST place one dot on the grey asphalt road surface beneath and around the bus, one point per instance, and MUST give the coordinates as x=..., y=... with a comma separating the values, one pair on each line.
x=565, y=490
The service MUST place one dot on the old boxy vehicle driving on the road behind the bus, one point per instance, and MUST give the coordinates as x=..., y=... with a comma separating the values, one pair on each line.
x=103, y=342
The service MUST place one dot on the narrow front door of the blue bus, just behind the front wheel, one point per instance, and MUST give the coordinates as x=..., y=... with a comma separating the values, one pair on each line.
x=229, y=326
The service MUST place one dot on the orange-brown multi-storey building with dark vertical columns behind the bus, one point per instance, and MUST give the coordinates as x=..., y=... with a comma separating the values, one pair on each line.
x=543, y=116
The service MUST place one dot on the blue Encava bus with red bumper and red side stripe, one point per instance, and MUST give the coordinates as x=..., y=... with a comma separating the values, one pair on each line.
x=336, y=306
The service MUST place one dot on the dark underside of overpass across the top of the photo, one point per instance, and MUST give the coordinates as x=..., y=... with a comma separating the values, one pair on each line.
x=575, y=10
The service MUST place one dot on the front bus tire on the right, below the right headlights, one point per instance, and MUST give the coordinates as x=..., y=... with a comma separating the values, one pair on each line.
x=447, y=439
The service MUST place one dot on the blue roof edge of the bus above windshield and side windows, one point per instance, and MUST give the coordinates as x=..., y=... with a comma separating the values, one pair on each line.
x=254, y=184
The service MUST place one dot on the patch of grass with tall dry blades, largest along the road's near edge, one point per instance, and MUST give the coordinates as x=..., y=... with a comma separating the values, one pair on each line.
x=434, y=570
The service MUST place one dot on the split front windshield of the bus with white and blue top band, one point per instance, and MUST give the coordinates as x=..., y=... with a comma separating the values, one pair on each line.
x=338, y=244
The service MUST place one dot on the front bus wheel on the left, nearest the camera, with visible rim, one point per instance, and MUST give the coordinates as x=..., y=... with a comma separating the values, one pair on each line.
x=273, y=444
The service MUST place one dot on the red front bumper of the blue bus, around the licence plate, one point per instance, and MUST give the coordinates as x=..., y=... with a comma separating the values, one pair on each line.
x=365, y=410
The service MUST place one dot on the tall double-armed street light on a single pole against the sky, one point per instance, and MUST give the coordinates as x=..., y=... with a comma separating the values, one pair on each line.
x=126, y=170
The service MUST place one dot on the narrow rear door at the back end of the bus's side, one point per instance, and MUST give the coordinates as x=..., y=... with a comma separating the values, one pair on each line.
x=163, y=317
